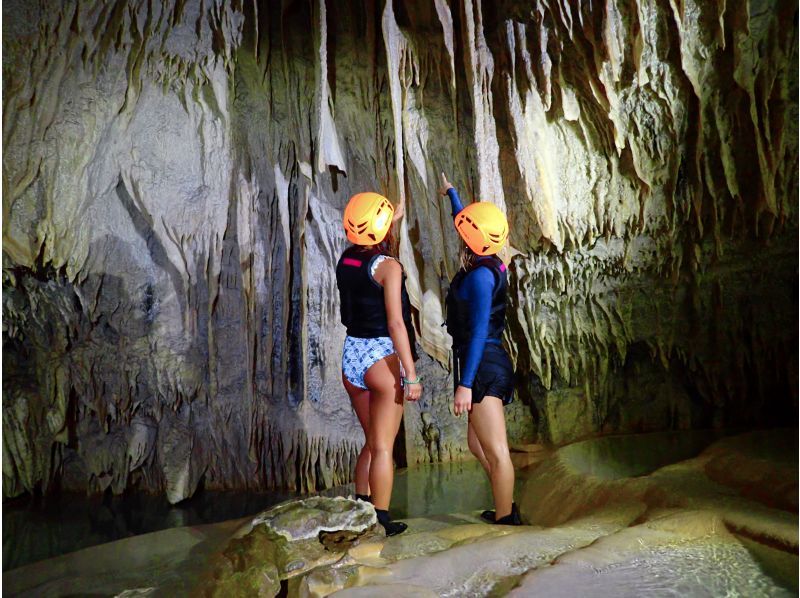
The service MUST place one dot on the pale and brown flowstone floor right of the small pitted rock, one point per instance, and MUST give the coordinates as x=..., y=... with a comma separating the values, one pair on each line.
x=653, y=524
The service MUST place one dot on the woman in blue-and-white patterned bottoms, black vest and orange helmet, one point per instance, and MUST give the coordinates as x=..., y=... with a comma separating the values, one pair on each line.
x=378, y=355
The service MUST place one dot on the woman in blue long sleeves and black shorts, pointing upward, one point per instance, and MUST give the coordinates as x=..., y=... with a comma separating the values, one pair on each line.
x=483, y=374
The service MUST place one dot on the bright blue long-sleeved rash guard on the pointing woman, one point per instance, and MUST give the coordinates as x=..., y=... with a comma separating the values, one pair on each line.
x=476, y=288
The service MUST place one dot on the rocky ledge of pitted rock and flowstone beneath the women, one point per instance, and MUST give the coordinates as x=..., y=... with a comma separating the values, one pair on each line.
x=693, y=525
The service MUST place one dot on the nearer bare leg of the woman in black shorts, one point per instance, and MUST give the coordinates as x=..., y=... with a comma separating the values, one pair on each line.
x=488, y=421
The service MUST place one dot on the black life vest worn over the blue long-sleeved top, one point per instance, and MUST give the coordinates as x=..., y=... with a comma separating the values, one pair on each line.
x=459, y=311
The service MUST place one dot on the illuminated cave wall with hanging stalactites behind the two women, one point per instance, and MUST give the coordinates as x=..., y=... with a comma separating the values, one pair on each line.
x=174, y=176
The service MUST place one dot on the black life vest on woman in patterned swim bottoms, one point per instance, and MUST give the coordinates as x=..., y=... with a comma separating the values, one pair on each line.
x=361, y=299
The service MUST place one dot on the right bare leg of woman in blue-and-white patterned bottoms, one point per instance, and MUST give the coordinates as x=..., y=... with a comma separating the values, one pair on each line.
x=385, y=414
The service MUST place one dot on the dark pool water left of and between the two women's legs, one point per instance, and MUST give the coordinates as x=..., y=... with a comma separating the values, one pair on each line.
x=34, y=531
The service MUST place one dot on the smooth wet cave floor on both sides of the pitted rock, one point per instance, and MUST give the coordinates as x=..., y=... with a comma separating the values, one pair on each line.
x=723, y=522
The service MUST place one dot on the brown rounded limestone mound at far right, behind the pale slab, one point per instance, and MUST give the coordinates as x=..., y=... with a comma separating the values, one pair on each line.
x=585, y=477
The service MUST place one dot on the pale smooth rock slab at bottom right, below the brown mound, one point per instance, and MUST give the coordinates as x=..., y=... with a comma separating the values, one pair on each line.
x=685, y=554
